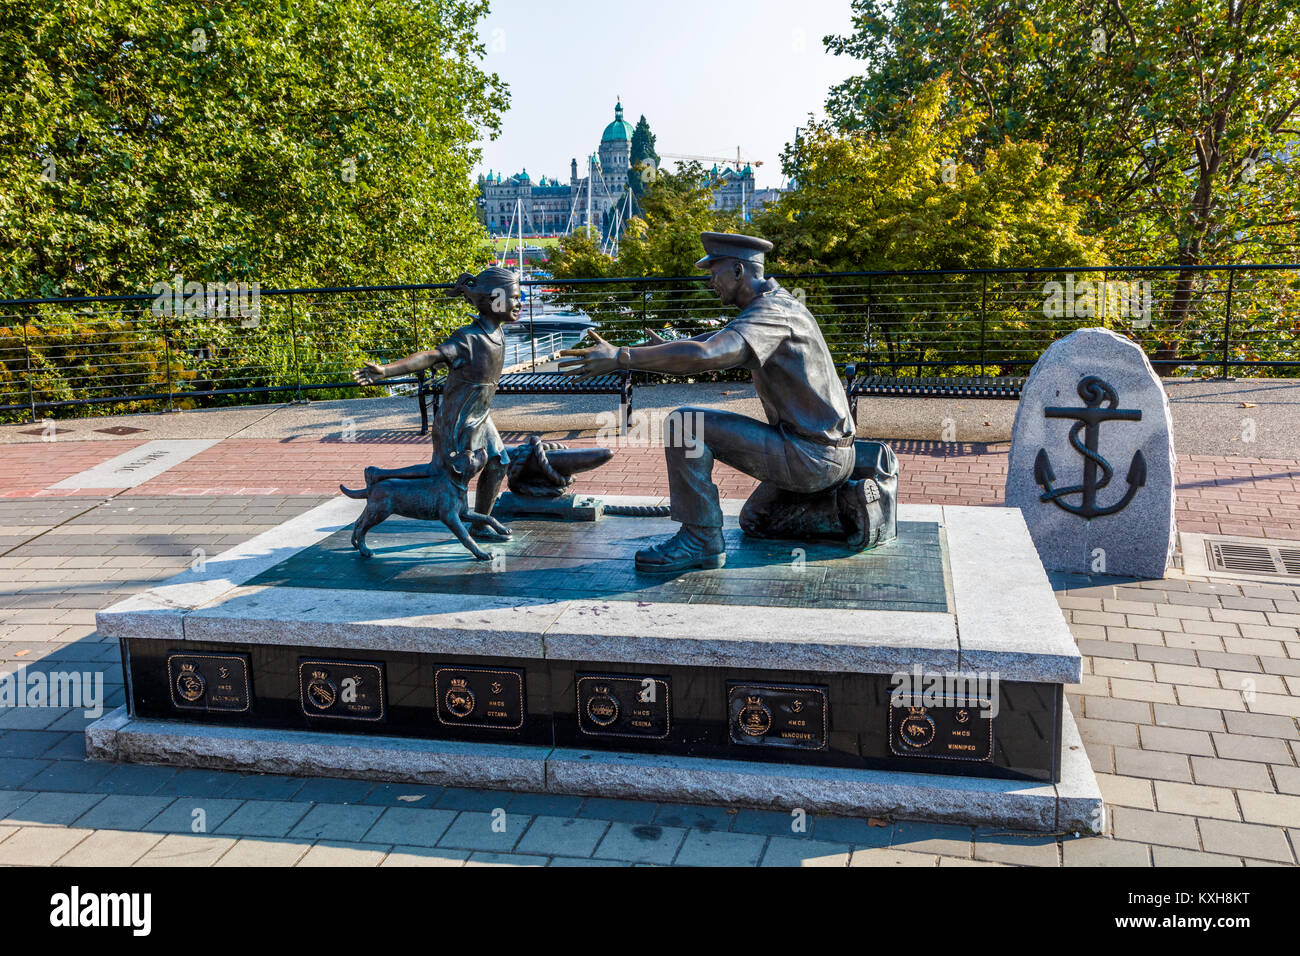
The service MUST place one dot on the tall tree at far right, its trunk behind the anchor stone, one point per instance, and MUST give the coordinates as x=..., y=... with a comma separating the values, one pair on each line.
x=1175, y=122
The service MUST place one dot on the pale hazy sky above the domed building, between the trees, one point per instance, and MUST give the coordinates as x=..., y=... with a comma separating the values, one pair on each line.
x=708, y=77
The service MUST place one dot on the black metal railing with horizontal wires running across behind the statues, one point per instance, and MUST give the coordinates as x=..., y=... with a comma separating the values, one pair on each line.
x=129, y=353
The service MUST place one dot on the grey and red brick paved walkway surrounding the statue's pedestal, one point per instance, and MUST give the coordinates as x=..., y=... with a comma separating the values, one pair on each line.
x=1189, y=704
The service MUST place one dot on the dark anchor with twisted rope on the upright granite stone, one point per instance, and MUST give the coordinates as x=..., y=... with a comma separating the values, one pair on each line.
x=1094, y=392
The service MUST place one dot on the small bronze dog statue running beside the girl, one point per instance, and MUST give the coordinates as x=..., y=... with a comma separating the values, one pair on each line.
x=441, y=496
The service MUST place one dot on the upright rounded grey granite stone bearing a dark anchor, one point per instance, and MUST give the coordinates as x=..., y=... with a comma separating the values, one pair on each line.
x=1093, y=458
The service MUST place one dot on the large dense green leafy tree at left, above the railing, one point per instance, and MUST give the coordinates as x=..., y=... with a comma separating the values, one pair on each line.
x=323, y=142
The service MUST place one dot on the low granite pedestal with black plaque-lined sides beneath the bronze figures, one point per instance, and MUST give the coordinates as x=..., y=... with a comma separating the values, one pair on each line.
x=557, y=668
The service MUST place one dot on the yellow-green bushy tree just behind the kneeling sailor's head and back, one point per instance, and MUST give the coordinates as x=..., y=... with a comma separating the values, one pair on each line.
x=905, y=201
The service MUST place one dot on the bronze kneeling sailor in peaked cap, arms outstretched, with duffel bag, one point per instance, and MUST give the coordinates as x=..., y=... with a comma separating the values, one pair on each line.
x=813, y=481
